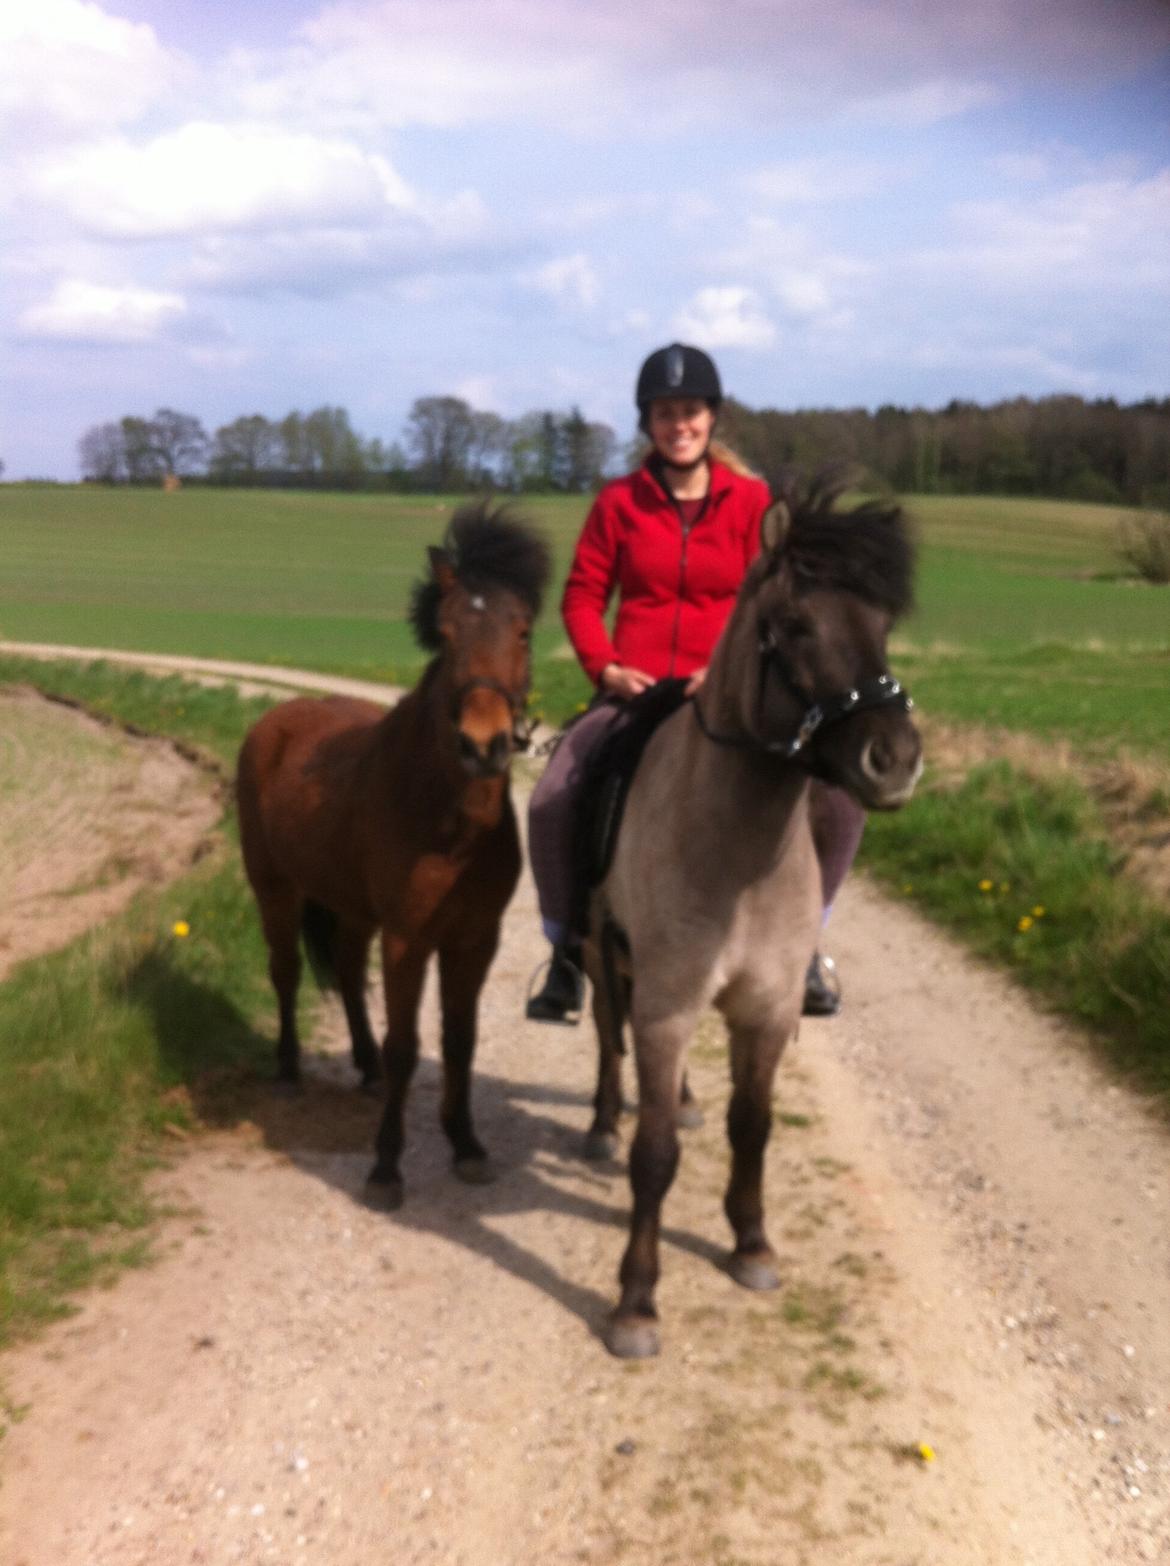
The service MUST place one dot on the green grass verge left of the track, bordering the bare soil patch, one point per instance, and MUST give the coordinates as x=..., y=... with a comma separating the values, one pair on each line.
x=126, y=1033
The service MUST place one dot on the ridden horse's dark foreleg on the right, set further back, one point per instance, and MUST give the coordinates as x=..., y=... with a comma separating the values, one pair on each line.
x=756, y=1053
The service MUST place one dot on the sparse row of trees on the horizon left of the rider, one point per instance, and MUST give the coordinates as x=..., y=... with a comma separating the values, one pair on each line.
x=447, y=447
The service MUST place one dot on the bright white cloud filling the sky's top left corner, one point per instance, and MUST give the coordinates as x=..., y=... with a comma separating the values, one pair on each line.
x=68, y=65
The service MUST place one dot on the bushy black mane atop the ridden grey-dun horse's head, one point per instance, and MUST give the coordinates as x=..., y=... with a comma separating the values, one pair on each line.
x=867, y=550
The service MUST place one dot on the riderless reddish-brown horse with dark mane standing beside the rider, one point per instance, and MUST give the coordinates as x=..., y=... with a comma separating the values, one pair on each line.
x=358, y=820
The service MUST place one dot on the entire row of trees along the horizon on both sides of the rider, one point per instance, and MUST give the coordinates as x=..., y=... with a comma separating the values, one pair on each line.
x=1064, y=447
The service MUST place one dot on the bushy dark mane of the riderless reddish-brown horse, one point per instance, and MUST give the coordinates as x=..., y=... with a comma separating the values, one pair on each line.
x=489, y=546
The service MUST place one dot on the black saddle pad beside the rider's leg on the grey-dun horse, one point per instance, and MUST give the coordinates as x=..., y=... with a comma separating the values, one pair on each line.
x=605, y=788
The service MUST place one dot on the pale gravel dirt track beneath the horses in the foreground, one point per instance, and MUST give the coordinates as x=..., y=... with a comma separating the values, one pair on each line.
x=973, y=1225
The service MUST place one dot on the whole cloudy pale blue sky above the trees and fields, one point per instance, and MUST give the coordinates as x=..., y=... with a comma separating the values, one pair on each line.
x=234, y=209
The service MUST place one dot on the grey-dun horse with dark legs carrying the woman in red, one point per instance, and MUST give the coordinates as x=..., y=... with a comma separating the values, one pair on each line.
x=715, y=884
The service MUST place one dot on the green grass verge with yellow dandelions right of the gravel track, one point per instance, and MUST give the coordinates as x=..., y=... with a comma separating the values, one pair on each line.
x=1025, y=870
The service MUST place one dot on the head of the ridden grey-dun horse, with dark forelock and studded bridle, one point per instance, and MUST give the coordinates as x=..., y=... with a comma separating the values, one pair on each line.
x=812, y=629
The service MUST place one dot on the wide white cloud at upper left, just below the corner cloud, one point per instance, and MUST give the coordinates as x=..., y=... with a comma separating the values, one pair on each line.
x=215, y=179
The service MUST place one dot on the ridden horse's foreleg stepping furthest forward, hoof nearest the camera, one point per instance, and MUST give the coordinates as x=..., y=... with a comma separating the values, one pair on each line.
x=654, y=1160
